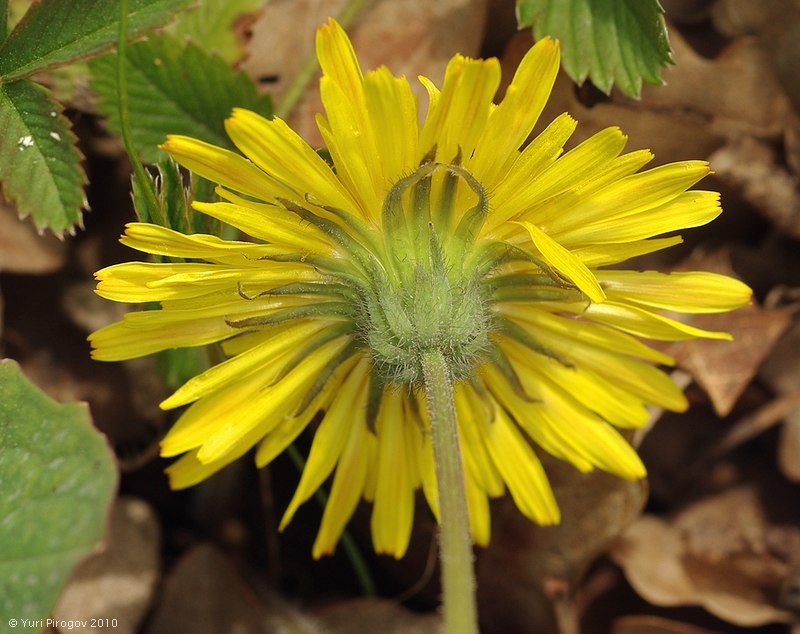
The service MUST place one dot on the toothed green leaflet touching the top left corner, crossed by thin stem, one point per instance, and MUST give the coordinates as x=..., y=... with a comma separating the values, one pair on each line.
x=56, y=32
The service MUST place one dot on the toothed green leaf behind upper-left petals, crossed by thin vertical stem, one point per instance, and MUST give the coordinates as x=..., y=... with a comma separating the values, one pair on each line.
x=174, y=89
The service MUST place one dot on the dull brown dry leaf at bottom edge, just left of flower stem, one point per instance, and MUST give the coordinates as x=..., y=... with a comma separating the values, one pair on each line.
x=358, y=616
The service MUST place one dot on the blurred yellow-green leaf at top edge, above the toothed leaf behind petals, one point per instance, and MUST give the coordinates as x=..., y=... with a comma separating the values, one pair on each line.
x=211, y=24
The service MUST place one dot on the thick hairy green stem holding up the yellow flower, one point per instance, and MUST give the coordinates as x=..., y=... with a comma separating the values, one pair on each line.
x=455, y=541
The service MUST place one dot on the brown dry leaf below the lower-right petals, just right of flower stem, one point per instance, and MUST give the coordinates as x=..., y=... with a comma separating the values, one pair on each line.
x=528, y=576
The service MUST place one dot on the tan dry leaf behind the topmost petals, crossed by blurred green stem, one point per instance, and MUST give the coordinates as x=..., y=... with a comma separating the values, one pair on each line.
x=411, y=37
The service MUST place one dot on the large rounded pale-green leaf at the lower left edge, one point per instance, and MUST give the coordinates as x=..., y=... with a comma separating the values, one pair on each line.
x=57, y=477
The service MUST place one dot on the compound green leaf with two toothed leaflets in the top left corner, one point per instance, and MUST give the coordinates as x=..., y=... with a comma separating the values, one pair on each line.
x=39, y=164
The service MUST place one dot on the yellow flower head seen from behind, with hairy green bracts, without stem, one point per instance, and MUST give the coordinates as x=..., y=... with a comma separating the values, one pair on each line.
x=453, y=235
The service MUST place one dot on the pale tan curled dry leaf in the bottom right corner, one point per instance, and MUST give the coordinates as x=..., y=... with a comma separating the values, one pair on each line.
x=717, y=553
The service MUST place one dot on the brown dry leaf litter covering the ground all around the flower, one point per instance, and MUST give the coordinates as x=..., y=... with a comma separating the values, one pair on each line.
x=713, y=547
